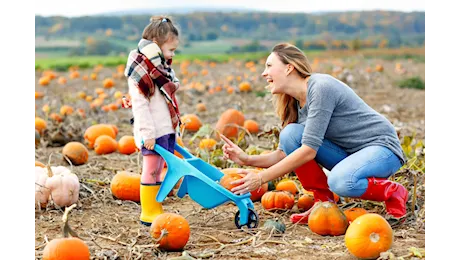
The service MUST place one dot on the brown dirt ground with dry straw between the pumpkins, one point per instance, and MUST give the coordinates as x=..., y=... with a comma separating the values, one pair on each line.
x=111, y=227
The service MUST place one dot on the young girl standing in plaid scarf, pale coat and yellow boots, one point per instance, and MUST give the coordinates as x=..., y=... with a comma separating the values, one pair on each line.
x=152, y=84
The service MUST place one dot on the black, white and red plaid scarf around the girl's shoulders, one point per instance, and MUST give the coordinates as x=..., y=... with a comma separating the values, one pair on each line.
x=148, y=67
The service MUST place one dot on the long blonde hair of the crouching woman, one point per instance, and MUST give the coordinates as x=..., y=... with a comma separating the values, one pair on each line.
x=285, y=105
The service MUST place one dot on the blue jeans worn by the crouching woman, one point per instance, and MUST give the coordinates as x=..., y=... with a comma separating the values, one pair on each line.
x=348, y=172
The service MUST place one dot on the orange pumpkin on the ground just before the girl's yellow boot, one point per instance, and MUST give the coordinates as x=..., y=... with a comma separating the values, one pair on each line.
x=171, y=231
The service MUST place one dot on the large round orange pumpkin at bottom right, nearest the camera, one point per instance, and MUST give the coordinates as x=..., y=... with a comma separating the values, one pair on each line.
x=368, y=235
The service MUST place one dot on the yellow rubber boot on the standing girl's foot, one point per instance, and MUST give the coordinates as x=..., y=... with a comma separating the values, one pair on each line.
x=150, y=208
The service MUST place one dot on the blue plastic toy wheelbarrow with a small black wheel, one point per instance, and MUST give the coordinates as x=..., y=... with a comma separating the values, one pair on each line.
x=201, y=183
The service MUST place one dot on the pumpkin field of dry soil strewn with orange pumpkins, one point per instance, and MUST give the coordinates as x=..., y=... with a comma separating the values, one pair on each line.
x=85, y=136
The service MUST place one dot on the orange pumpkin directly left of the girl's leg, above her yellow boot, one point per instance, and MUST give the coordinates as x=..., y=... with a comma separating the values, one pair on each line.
x=126, y=186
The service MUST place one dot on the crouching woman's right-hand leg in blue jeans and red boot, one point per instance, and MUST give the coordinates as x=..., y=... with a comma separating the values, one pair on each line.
x=364, y=175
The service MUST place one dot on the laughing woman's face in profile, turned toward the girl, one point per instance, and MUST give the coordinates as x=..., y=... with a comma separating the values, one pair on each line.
x=275, y=73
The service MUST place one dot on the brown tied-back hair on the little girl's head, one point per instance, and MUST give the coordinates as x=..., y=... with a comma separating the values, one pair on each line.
x=160, y=29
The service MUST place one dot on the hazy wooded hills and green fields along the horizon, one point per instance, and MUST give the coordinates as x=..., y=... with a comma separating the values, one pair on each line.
x=234, y=30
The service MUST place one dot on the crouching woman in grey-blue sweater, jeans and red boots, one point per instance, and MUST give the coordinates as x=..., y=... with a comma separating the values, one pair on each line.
x=324, y=122
